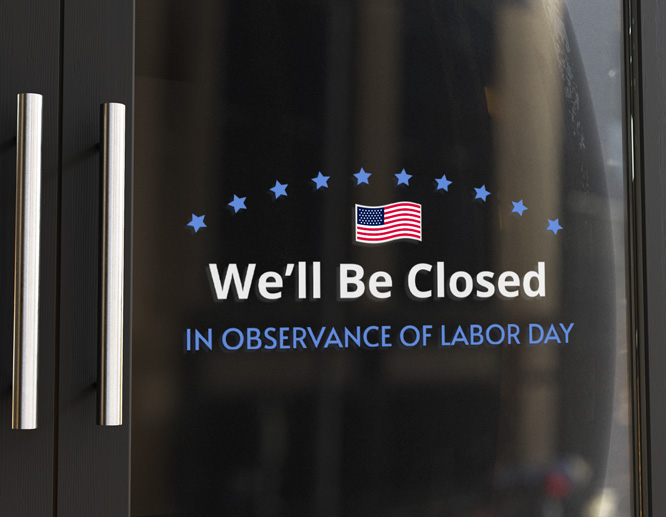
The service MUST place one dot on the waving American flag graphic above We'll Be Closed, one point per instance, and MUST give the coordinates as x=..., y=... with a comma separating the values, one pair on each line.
x=376, y=224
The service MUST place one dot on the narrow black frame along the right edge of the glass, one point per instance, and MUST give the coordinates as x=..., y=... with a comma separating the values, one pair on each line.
x=646, y=103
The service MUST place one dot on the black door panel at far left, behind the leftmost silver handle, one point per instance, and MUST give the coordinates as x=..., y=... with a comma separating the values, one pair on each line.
x=29, y=63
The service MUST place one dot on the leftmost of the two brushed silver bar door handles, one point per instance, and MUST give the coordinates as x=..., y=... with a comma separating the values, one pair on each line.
x=26, y=260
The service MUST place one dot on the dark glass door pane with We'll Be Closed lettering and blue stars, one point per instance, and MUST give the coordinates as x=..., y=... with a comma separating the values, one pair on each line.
x=380, y=259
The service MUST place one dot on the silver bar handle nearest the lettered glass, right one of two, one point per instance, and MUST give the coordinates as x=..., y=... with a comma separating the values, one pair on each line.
x=110, y=375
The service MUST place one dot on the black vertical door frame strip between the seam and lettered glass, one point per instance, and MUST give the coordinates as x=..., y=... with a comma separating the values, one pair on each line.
x=98, y=67
